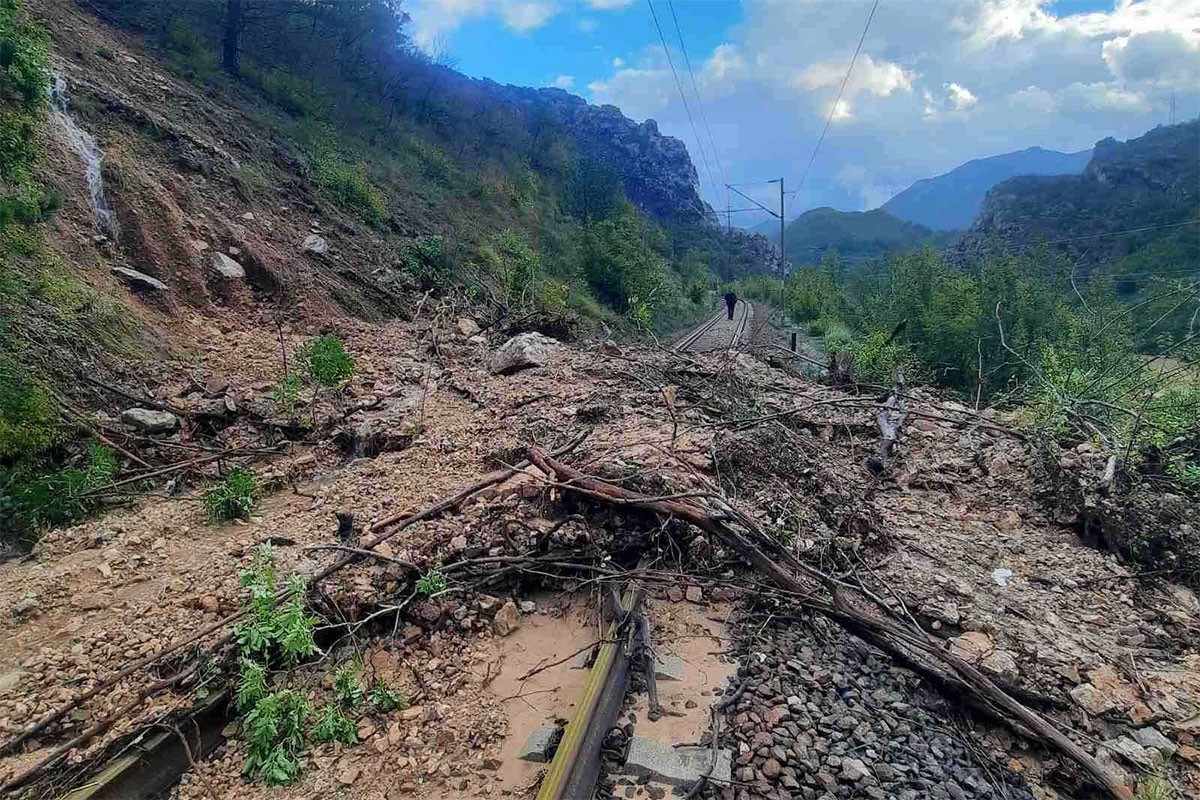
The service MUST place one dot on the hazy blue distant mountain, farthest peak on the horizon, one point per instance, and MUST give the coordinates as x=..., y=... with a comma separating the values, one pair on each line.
x=951, y=202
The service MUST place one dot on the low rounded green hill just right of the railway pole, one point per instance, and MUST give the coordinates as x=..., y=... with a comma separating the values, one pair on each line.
x=855, y=236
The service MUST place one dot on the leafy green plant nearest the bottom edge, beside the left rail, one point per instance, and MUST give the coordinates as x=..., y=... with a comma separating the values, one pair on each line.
x=275, y=737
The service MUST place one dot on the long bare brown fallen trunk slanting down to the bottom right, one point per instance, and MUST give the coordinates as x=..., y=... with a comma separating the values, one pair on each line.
x=898, y=637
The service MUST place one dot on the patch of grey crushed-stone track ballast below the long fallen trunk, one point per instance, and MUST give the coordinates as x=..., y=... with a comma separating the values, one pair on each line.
x=824, y=718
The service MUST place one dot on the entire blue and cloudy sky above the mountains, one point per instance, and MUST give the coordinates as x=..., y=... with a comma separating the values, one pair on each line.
x=937, y=83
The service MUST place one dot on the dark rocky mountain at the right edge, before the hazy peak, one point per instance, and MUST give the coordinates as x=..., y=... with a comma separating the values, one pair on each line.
x=1151, y=183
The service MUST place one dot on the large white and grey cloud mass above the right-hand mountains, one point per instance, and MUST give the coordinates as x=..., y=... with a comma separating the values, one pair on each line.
x=938, y=83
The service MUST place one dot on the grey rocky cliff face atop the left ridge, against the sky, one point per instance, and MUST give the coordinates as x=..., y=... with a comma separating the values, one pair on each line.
x=656, y=170
